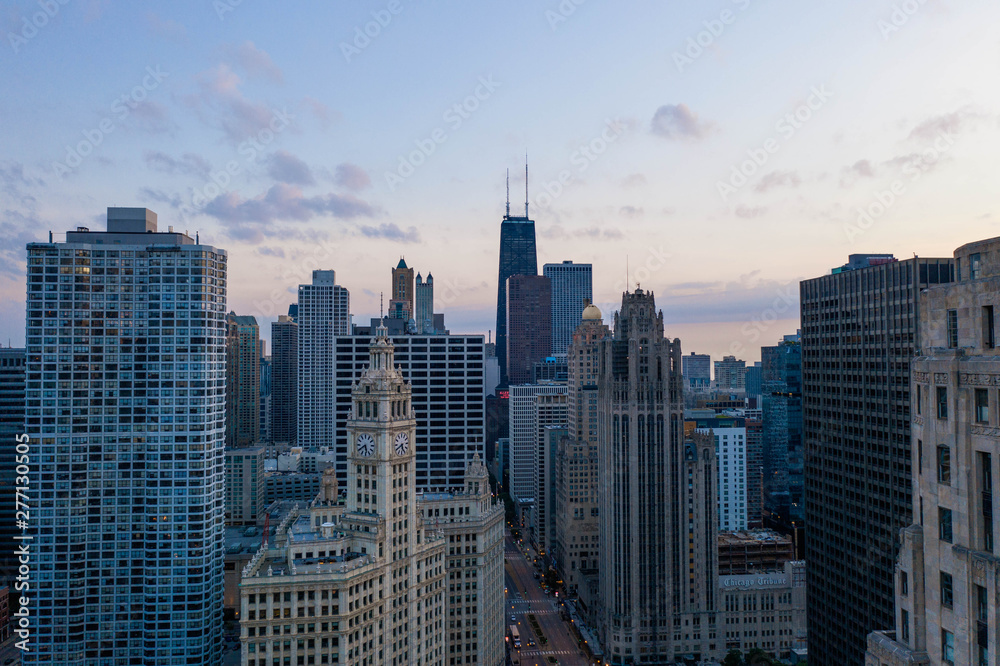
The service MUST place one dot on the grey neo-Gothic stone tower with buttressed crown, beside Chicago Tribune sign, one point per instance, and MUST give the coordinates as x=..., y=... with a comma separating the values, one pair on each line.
x=658, y=521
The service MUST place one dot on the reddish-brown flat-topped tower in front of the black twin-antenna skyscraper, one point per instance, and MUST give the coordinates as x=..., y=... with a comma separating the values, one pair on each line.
x=529, y=328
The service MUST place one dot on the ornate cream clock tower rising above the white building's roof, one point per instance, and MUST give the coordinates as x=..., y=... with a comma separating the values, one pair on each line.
x=381, y=430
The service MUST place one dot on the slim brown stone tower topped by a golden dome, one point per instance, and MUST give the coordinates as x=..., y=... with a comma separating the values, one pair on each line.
x=577, y=544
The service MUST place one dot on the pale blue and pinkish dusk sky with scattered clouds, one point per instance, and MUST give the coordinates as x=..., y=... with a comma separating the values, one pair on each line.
x=715, y=152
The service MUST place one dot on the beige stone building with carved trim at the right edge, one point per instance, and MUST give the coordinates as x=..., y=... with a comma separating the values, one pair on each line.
x=947, y=578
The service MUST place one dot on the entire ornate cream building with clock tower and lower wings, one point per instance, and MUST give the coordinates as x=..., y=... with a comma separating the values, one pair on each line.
x=365, y=579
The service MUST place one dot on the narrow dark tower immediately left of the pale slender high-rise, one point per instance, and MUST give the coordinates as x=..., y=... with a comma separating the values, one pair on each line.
x=284, y=379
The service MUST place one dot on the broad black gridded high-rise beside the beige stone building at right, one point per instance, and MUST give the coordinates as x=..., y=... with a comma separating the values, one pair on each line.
x=859, y=335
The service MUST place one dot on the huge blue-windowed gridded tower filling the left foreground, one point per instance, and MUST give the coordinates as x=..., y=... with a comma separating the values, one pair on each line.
x=126, y=414
